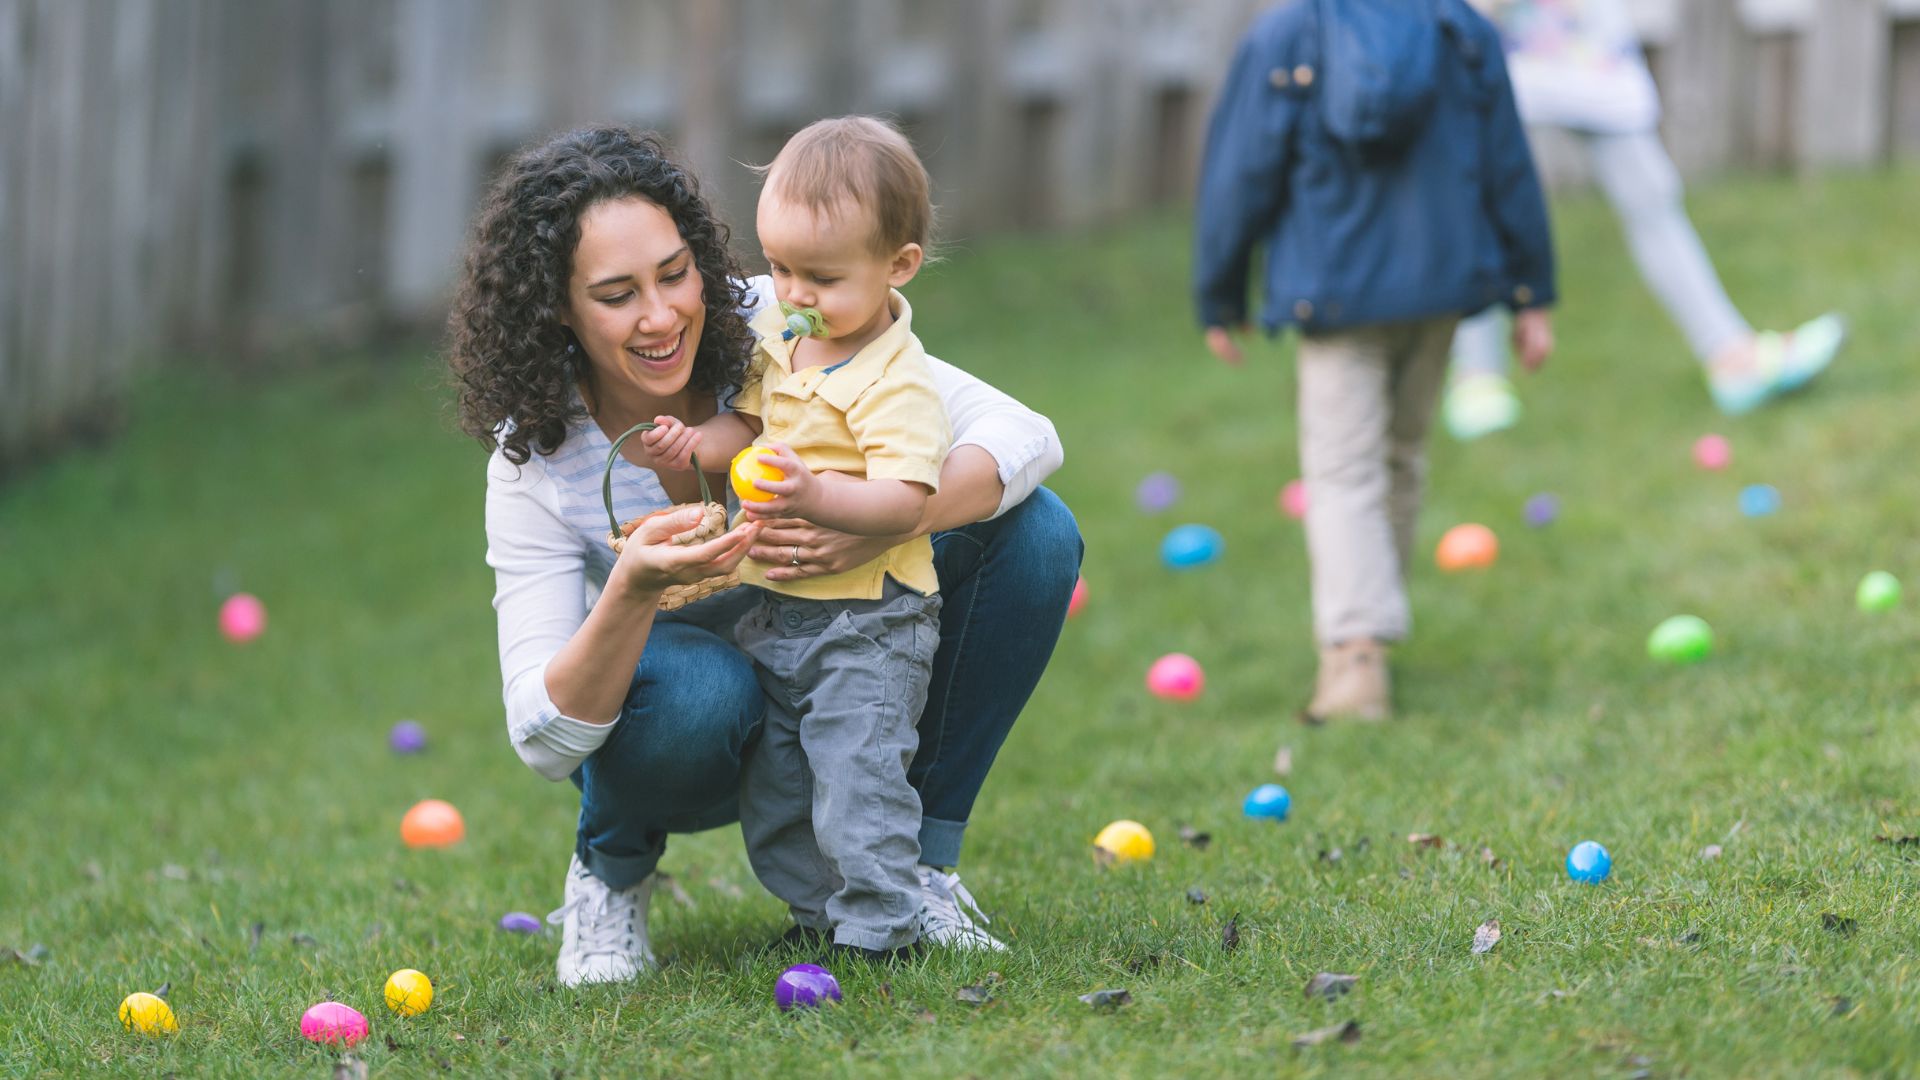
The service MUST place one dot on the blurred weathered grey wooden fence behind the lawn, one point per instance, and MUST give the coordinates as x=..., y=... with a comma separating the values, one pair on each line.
x=243, y=176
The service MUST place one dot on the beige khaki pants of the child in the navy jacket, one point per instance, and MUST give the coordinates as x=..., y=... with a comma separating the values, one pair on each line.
x=1366, y=401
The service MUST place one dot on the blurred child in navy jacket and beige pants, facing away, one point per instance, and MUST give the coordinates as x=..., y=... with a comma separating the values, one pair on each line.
x=1372, y=149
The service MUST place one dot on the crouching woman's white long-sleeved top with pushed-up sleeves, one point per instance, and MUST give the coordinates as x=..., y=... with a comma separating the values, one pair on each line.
x=546, y=529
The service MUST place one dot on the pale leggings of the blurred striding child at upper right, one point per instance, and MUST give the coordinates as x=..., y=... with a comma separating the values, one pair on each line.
x=1644, y=189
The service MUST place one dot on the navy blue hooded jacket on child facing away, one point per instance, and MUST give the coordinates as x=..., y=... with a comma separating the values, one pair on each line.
x=1374, y=149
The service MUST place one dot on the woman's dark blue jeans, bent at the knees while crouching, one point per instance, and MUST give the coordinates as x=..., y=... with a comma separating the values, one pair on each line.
x=694, y=710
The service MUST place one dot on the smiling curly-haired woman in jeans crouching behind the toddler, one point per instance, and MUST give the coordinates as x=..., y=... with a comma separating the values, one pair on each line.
x=600, y=295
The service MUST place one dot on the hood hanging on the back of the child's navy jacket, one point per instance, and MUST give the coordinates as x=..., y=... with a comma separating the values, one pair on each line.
x=1380, y=68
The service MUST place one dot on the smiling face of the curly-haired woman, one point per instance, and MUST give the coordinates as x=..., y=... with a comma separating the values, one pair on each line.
x=636, y=301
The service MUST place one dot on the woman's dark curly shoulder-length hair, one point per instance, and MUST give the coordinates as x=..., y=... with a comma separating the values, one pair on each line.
x=508, y=345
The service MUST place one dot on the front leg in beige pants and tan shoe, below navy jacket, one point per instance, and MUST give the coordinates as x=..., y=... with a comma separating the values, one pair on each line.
x=1347, y=385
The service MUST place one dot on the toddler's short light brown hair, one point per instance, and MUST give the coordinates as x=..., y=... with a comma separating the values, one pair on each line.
x=865, y=162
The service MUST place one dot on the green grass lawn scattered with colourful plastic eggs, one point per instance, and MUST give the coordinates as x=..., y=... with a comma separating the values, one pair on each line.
x=226, y=820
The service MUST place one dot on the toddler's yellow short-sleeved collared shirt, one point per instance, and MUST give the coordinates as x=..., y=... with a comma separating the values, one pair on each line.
x=875, y=416
